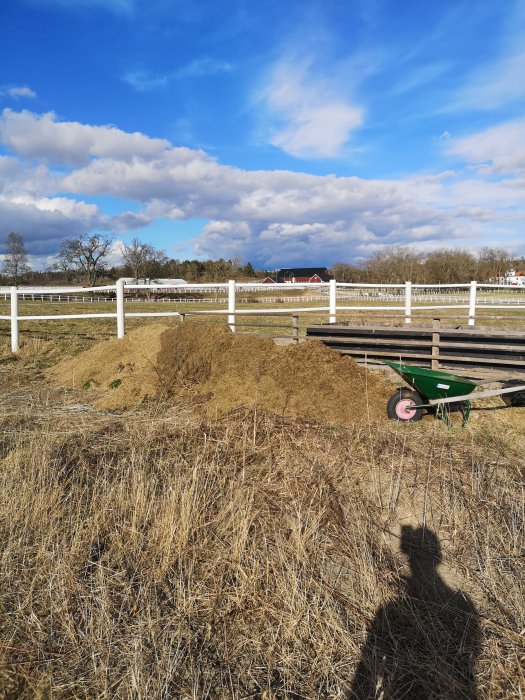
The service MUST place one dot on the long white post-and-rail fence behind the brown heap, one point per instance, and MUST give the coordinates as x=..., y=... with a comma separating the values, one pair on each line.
x=408, y=298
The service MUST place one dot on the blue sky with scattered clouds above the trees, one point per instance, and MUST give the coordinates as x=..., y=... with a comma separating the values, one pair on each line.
x=305, y=132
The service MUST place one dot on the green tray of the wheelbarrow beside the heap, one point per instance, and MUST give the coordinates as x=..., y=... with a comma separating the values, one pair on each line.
x=432, y=384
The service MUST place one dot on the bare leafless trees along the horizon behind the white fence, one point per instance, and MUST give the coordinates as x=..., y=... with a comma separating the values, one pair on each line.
x=85, y=260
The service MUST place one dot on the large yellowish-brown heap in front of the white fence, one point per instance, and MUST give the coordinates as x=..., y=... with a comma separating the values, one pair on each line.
x=224, y=372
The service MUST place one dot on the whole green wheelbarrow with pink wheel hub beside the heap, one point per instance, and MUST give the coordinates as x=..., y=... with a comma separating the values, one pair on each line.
x=442, y=392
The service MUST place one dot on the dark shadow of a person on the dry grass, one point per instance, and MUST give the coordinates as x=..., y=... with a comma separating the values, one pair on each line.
x=424, y=644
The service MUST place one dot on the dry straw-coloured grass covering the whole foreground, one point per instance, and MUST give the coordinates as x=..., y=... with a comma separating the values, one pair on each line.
x=158, y=551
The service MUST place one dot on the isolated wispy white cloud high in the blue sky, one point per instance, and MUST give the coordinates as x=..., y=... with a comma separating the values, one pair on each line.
x=311, y=116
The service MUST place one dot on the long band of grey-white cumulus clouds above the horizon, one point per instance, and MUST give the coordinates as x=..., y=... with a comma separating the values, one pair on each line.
x=270, y=217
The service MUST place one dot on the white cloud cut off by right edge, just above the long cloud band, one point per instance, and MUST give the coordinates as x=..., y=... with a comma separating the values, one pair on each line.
x=502, y=146
